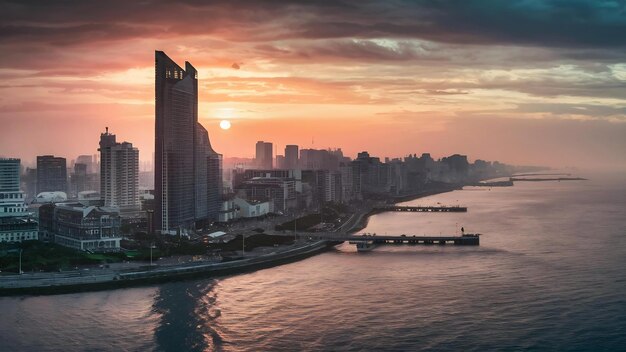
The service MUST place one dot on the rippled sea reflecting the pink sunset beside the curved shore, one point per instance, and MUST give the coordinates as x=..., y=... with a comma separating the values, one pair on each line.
x=549, y=275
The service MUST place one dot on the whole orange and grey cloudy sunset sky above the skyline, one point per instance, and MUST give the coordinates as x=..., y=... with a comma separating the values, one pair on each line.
x=527, y=82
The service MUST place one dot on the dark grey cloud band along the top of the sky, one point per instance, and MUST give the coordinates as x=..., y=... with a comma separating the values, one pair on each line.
x=556, y=23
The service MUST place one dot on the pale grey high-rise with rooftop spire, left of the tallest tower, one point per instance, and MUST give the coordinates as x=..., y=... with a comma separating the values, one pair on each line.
x=119, y=173
